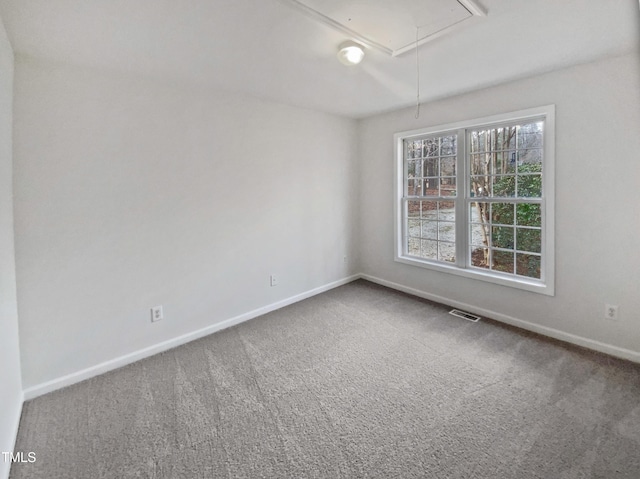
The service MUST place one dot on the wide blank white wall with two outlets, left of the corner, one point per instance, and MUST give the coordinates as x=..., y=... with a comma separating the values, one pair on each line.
x=131, y=193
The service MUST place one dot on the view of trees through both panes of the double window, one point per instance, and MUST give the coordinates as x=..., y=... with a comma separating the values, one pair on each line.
x=504, y=198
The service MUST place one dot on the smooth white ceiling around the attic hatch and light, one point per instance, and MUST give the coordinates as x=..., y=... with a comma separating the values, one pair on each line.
x=271, y=50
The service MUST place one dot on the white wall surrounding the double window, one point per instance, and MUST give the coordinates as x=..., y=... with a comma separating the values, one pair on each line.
x=597, y=202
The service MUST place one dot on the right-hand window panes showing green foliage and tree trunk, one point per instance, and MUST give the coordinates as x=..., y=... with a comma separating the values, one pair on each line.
x=506, y=172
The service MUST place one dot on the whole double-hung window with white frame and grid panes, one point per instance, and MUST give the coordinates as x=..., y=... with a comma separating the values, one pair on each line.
x=476, y=199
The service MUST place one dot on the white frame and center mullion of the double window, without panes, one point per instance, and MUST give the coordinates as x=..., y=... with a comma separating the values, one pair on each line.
x=544, y=285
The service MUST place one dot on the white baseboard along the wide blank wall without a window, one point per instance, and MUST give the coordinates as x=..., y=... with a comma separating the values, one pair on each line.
x=49, y=386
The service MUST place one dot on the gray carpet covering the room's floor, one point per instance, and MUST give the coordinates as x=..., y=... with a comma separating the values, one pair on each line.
x=360, y=381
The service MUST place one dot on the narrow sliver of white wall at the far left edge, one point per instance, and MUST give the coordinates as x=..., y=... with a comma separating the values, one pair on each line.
x=10, y=382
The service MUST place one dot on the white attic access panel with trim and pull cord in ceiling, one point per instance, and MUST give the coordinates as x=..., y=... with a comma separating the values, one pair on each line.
x=390, y=25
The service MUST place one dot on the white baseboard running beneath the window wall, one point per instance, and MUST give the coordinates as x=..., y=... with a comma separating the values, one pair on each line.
x=536, y=328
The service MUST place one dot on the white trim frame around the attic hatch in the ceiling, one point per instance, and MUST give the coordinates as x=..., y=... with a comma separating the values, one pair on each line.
x=472, y=6
